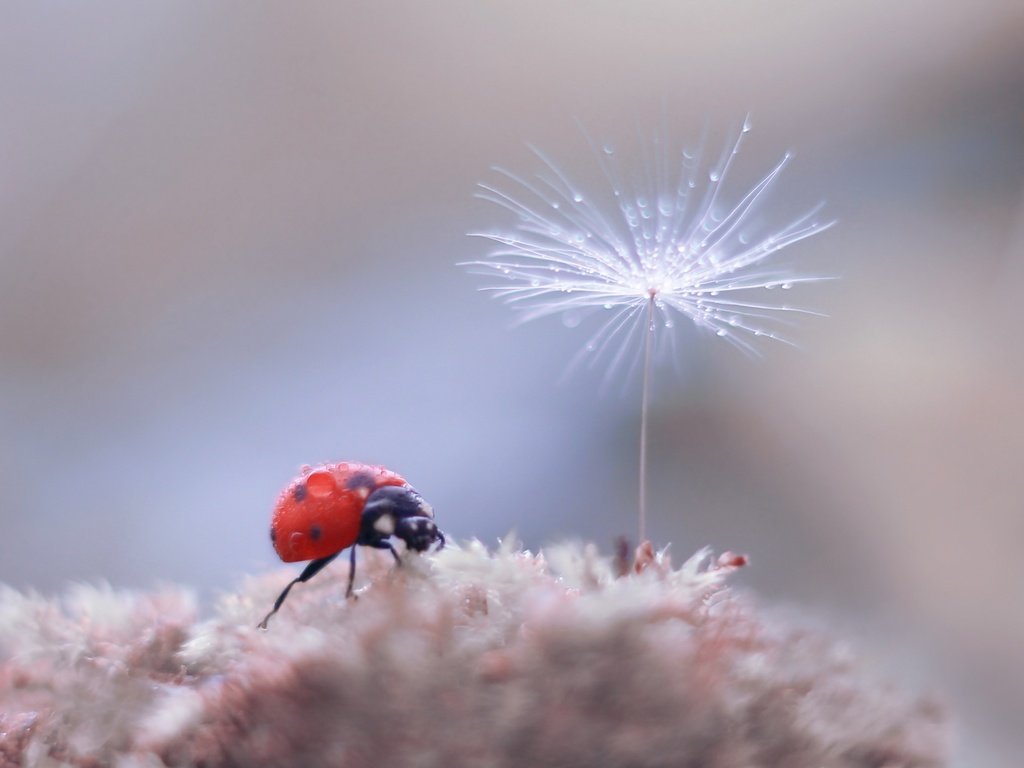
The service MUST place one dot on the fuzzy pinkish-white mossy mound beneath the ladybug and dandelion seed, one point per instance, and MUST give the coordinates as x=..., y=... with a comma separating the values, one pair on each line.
x=466, y=658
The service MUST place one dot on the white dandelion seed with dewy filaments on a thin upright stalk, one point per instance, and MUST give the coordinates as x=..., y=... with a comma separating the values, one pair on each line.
x=670, y=248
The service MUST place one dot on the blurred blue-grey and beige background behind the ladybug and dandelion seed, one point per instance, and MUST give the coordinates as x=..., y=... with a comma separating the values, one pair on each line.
x=229, y=237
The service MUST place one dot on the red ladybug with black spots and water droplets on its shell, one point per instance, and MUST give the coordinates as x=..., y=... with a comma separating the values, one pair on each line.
x=334, y=506
